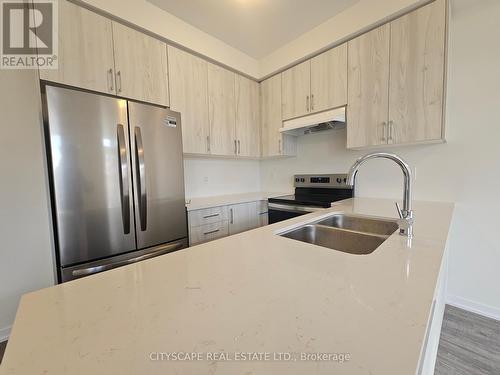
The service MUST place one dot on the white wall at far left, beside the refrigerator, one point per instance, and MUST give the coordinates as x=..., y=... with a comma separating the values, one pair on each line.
x=25, y=247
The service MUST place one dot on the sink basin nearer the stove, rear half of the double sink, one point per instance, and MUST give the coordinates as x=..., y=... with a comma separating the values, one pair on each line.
x=361, y=224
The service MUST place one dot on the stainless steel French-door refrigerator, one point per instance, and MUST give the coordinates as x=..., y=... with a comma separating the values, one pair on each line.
x=117, y=180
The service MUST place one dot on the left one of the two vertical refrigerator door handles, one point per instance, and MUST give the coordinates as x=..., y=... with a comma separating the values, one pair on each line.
x=124, y=177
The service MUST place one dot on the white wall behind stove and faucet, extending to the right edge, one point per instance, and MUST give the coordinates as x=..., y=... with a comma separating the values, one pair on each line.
x=465, y=170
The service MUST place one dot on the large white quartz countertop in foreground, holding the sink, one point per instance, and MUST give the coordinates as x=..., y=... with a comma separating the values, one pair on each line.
x=255, y=292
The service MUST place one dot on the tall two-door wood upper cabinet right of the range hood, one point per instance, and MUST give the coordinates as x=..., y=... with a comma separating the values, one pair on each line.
x=396, y=80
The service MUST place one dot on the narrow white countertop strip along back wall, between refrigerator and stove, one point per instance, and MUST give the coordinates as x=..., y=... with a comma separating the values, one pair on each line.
x=223, y=200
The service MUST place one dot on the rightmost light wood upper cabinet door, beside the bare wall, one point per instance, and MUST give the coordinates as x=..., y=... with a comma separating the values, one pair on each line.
x=417, y=75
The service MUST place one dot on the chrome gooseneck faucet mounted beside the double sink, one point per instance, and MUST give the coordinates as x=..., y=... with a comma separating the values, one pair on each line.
x=405, y=221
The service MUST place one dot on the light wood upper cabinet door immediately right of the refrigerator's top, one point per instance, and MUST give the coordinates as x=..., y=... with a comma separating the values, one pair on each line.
x=188, y=95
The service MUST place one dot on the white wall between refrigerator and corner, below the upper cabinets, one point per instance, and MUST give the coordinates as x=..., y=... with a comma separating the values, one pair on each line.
x=210, y=177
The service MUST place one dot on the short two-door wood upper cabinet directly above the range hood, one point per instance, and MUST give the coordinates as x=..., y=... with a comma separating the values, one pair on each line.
x=315, y=85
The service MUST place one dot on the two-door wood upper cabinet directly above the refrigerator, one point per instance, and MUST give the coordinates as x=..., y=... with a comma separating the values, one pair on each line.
x=98, y=54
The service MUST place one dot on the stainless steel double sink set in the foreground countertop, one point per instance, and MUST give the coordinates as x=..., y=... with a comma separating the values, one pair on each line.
x=348, y=233
